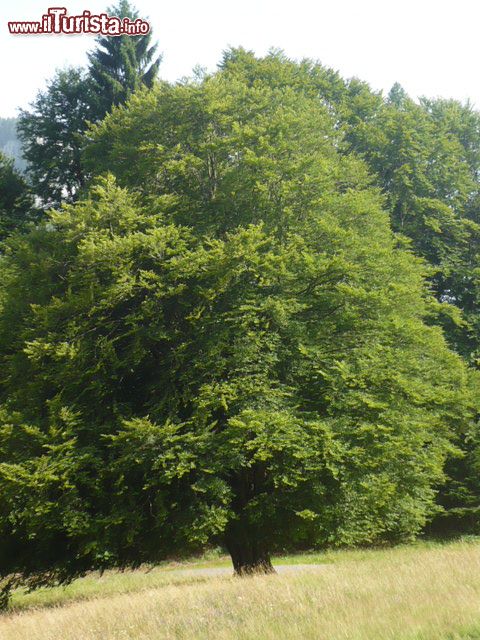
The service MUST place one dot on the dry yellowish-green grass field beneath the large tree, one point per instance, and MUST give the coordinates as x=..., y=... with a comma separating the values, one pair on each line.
x=418, y=592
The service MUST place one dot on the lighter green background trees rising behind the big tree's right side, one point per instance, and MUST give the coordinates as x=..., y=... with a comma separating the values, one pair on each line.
x=423, y=156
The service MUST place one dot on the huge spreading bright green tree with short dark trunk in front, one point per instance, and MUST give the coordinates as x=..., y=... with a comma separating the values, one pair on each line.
x=231, y=347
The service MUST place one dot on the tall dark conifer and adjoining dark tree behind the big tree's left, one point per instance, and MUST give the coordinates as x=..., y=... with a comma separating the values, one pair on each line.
x=52, y=132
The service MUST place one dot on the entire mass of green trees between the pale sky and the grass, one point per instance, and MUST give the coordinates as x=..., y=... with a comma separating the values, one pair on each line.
x=240, y=309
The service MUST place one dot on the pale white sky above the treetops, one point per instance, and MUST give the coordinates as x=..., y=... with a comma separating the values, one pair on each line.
x=431, y=47
